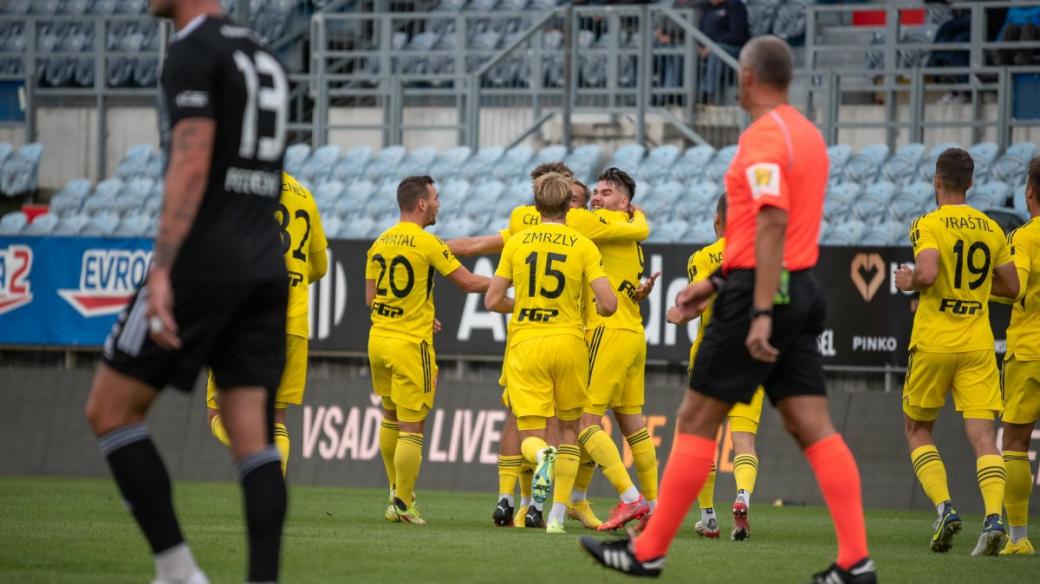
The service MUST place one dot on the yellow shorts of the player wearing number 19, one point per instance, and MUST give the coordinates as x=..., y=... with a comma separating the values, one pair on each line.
x=972, y=376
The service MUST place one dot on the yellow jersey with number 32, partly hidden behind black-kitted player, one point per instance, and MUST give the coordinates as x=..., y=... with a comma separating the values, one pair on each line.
x=302, y=237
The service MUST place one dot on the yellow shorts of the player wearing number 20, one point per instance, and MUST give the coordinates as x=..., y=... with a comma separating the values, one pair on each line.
x=405, y=376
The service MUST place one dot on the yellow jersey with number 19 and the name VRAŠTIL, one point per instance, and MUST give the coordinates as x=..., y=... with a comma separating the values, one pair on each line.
x=953, y=314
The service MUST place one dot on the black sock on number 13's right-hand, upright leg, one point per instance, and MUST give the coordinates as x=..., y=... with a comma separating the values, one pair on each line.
x=265, y=498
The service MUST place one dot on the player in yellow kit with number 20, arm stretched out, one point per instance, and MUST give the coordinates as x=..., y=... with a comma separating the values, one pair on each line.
x=400, y=290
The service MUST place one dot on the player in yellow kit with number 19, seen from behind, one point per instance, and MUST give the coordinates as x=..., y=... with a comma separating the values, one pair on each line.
x=961, y=257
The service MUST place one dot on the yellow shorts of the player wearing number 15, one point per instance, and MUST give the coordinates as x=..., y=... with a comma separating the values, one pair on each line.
x=549, y=377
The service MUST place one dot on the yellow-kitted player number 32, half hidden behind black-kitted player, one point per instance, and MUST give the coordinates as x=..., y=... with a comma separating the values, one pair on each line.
x=304, y=243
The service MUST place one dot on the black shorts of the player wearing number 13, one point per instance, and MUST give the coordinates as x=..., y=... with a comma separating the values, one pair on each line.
x=237, y=330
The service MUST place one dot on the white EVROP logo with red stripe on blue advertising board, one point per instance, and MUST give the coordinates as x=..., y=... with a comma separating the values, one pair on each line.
x=108, y=280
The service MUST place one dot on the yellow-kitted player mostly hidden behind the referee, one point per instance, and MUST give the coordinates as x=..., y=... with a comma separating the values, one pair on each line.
x=744, y=418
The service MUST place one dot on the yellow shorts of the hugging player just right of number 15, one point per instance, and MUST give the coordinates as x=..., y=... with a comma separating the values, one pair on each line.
x=617, y=362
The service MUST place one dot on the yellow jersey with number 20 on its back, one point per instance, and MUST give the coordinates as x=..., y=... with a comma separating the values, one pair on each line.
x=402, y=264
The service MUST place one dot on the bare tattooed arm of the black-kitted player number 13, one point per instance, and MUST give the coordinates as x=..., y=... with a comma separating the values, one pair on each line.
x=191, y=155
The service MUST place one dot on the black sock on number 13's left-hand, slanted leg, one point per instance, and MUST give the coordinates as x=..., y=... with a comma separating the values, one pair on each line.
x=143, y=481
